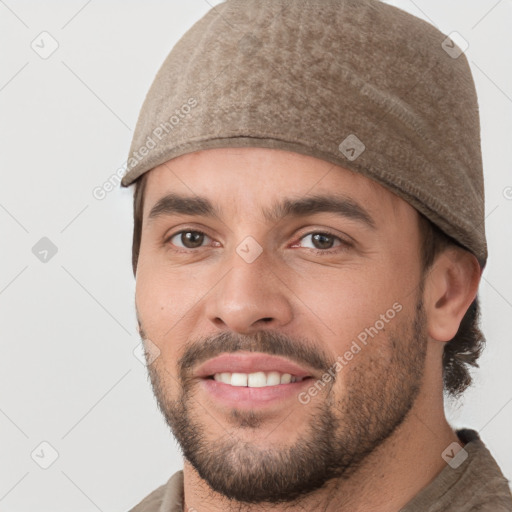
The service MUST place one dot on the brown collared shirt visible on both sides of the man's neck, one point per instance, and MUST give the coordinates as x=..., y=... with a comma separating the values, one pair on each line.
x=475, y=484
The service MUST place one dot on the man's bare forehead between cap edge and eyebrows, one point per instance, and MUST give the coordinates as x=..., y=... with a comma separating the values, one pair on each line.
x=246, y=178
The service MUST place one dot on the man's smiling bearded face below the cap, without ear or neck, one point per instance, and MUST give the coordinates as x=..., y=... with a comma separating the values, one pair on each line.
x=332, y=298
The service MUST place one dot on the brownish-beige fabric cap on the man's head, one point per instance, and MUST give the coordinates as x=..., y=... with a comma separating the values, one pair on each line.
x=358, y=83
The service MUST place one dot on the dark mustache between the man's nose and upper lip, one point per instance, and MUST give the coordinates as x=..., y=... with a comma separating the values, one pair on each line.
x=301, y=351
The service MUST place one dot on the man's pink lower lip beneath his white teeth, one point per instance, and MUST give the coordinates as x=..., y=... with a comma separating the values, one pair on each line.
x=249, y=398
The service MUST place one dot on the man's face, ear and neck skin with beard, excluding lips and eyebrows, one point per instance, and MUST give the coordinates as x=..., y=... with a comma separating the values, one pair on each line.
x=373, y=436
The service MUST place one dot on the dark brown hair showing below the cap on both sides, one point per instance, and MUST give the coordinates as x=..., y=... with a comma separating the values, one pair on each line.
x=459, y=353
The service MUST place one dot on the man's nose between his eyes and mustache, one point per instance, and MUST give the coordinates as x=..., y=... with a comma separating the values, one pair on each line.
x=249, y=297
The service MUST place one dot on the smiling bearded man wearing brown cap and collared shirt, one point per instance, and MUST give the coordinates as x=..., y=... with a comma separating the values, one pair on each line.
x=308, y=243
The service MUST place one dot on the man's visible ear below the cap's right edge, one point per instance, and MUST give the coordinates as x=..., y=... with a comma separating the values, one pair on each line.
x=451, y=286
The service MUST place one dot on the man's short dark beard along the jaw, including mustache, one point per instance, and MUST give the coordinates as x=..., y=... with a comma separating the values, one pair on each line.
x=379, y=389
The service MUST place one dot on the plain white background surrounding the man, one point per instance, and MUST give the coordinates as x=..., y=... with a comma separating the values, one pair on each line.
x=68, y=375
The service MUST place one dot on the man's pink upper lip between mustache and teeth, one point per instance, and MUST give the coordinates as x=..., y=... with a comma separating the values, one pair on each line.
x=250, y=362
